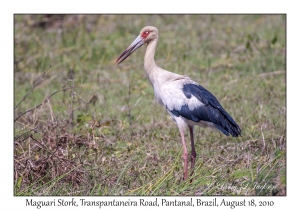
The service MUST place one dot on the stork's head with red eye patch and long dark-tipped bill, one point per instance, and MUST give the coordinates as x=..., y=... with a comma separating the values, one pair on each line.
x=147, y=34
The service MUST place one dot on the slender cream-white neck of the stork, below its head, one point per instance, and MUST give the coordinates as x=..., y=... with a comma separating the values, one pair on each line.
x=150, y=66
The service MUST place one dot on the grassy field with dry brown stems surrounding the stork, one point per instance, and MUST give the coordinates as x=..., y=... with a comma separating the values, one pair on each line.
x=86, y=126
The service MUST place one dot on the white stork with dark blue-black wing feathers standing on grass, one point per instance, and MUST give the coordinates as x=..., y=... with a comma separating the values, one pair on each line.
x=187, y=102
